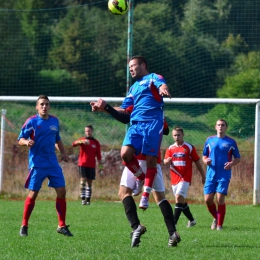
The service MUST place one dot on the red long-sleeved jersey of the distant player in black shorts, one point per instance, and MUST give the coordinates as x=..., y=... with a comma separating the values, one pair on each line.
x=88, y=152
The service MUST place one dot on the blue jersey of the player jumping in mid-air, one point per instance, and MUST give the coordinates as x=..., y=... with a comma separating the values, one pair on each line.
x=144, y=96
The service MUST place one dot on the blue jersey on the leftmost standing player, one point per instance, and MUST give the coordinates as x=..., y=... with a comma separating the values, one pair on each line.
x=45, y=133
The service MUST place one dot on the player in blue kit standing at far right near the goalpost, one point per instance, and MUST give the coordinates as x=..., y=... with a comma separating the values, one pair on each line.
x=220, y=154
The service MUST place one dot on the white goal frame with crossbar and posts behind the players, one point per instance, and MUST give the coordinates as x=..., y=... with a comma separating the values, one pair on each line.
x=256, y=102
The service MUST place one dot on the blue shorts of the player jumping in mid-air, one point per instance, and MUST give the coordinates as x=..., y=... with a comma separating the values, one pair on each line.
x=145, y=137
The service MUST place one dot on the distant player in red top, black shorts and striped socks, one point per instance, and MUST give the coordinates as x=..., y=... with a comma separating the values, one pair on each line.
x=89, y=151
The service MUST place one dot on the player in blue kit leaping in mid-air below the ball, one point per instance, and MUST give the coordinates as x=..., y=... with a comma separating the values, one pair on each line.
x=146, y=124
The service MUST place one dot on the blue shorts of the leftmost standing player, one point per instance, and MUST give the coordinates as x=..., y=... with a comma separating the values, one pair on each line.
x=36, y=176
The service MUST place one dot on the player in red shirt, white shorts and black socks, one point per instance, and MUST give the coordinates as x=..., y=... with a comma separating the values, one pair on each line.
x=180, y=156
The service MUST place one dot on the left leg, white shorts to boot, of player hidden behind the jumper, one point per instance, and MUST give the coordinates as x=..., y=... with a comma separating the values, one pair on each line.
x=127, y=185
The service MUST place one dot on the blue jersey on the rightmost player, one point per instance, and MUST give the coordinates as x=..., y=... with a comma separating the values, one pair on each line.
x=220, y=151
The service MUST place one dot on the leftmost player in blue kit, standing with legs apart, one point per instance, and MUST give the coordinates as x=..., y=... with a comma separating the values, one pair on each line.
x=41, y=134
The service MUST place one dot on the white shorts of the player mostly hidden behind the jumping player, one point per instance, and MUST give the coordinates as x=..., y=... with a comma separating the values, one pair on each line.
x=128, y=179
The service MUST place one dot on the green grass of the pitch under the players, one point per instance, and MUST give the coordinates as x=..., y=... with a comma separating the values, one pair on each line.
x=101, y=231
